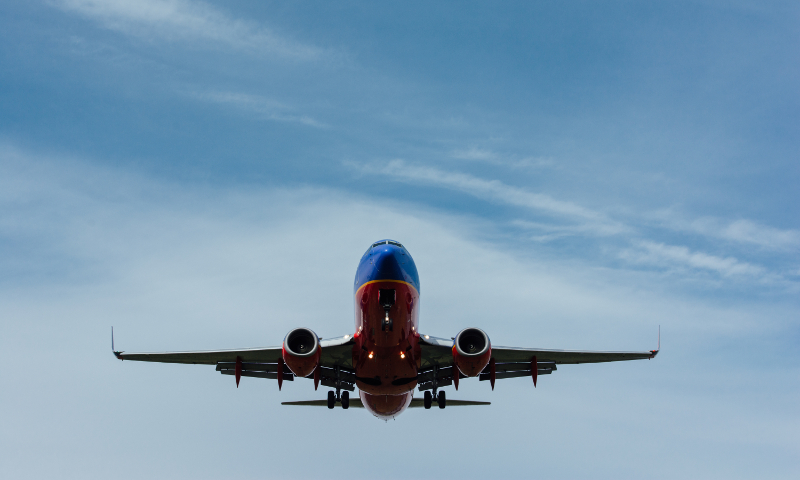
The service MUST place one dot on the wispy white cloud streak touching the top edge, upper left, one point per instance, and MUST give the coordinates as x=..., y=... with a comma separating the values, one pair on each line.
x=187, y=21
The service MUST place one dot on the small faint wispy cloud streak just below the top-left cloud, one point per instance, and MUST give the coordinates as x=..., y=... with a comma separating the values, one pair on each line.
x=263, y=107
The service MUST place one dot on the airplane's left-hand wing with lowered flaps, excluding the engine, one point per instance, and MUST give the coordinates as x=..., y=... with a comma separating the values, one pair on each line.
x=335, y=355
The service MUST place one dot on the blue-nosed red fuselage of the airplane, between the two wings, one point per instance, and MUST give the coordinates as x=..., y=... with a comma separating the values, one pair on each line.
x=386, y=354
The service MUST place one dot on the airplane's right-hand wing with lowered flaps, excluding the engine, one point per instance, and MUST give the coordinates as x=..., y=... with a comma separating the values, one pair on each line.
x=507, y=362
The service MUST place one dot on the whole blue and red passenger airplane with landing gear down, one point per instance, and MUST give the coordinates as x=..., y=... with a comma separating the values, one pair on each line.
x=386, y=357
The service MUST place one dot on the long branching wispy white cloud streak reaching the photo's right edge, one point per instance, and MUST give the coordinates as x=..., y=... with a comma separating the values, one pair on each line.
x=630, y=244
